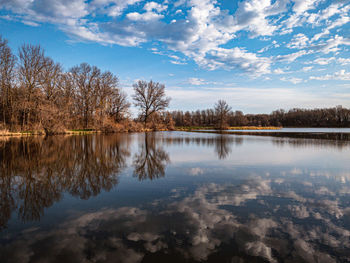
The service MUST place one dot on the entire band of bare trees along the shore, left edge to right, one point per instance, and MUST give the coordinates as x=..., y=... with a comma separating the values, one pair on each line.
x=38, y=95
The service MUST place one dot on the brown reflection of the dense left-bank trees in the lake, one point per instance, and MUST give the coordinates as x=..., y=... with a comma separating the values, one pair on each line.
x=35, y=171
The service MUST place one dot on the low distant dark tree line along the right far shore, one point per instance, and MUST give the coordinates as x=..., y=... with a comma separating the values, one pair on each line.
x=221, y=117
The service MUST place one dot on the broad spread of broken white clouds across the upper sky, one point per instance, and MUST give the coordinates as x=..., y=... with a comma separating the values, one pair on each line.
x=202, y=30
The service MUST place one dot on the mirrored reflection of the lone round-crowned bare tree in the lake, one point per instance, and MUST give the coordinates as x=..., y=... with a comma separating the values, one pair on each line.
x=151, y=161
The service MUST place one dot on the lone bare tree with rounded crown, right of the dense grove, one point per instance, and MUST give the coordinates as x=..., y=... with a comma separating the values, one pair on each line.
x=150, y=98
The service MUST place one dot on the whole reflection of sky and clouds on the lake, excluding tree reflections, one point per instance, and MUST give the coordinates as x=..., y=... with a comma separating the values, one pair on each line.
x=244, y=206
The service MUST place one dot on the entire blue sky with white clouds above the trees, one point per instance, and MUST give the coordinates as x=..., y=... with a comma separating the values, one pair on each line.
x=258, y=55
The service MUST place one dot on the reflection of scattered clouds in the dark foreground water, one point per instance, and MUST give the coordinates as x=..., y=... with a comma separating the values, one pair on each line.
x=248, y=216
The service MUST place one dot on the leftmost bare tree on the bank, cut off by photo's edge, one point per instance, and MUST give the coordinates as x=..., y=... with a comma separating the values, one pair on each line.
x=7, y=75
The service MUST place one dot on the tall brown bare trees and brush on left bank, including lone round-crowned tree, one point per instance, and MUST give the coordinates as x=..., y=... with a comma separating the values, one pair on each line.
x=38, y=96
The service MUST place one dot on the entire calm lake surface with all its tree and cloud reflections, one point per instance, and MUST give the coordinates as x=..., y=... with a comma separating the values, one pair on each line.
x=174, y=197
